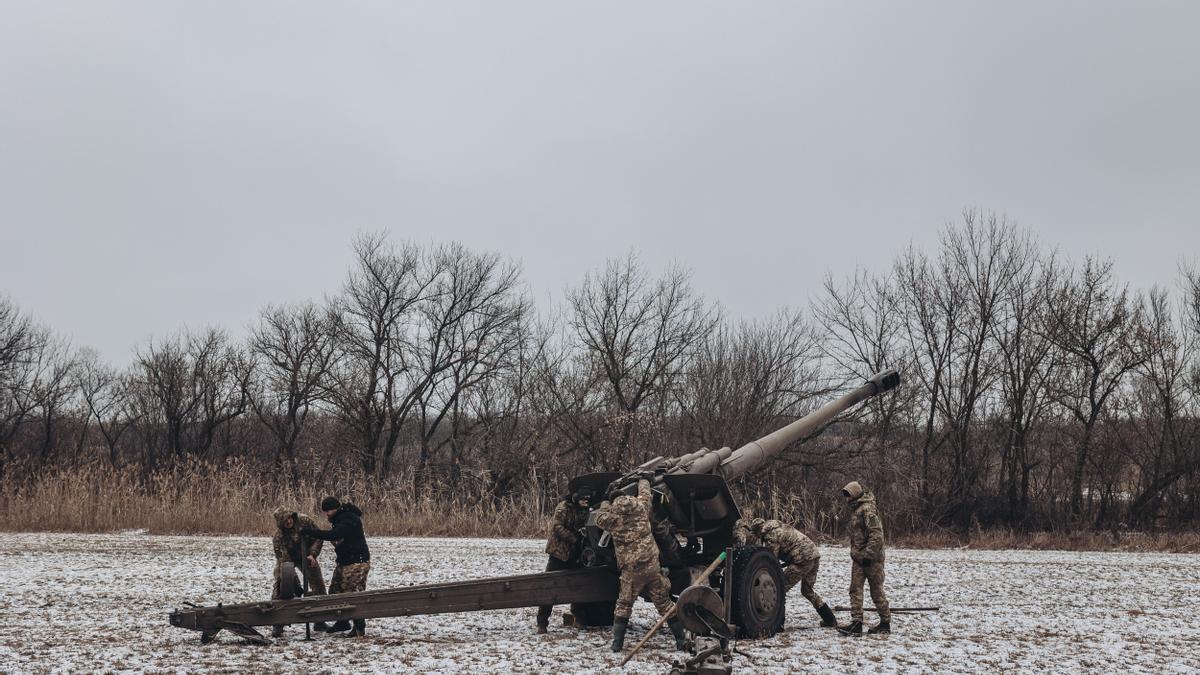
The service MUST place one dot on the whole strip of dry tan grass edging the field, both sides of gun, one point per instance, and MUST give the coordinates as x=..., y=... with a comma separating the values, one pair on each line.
x=203, y=499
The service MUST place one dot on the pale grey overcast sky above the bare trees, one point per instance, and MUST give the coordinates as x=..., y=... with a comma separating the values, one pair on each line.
x=167, y=164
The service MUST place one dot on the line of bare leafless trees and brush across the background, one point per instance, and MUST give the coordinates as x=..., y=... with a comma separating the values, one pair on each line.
x=1040, y=392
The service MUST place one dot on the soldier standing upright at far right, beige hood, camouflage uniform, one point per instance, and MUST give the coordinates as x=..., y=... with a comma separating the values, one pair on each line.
x=867, y=560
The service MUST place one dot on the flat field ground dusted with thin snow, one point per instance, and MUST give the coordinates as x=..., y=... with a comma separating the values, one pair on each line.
x=100, y=604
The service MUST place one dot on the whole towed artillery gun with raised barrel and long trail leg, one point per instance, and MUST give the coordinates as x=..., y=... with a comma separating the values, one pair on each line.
x=694, y=521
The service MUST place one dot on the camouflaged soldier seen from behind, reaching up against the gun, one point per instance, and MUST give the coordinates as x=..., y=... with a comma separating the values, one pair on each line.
x=628, y=522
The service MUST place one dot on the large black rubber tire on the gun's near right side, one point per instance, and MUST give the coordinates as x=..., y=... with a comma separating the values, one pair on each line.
x=758, y=617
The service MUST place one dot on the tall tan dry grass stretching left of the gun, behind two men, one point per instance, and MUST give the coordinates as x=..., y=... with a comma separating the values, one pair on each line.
x=199, y=499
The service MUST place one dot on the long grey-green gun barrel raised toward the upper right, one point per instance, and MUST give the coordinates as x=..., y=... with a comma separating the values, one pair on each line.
x=755, y=453
